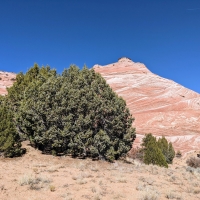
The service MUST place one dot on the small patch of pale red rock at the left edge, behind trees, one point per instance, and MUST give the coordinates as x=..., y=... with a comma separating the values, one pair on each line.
x=6, y=80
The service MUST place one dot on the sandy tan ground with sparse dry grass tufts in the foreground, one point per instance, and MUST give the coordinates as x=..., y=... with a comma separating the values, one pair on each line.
x=44, y=177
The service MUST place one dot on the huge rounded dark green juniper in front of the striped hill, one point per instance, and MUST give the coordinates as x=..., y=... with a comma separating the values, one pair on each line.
x=76, y=113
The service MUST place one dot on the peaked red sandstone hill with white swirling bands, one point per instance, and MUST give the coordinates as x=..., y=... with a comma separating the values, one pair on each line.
x=159, y=106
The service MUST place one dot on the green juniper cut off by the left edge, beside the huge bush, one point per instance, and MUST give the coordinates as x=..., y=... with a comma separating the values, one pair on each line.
x=10, y=144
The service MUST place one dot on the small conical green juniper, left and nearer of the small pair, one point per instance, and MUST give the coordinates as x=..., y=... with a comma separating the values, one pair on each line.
x=152, y=153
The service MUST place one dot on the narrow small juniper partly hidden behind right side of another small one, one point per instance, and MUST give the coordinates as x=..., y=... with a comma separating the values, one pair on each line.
x=167, y=149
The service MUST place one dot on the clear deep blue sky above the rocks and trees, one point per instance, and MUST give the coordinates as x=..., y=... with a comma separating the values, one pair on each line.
x=162, y=34
